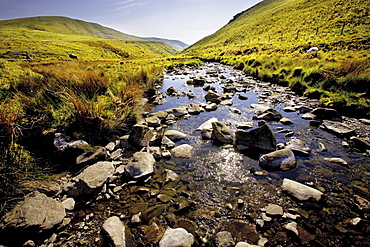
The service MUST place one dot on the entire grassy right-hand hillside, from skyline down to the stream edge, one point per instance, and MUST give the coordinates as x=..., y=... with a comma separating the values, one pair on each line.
x=271, y=41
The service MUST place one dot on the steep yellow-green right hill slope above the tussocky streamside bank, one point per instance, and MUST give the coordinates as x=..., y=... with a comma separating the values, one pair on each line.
x=281, y=25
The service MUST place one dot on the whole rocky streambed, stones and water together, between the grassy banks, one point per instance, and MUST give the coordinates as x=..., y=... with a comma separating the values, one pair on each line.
x=220, y=159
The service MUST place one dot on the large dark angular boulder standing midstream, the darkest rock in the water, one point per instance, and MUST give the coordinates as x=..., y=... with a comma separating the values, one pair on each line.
x=261, y=138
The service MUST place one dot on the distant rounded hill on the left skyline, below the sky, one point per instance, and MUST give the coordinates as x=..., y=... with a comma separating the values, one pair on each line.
x=69, y=26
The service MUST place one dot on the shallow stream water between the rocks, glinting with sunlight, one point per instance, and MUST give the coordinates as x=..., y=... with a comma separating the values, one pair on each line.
x=219, y=176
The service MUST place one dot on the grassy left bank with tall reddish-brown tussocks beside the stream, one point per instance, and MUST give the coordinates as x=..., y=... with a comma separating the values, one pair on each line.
x=93, y=101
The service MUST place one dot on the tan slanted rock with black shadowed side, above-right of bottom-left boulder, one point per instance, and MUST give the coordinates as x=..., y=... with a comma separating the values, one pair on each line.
x=92, y=178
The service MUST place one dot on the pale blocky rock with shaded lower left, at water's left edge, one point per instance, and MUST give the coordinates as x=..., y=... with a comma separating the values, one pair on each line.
x=142, y=165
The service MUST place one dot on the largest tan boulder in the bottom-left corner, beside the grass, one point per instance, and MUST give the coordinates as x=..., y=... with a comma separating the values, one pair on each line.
x=36, y=213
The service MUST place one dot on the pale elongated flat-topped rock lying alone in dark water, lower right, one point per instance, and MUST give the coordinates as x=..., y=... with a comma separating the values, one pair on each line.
x=300, y=191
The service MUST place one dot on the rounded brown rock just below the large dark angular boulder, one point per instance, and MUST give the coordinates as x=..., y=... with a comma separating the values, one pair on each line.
x=283, y=159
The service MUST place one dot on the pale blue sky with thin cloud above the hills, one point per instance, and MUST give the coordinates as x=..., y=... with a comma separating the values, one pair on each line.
x=184, y=20
